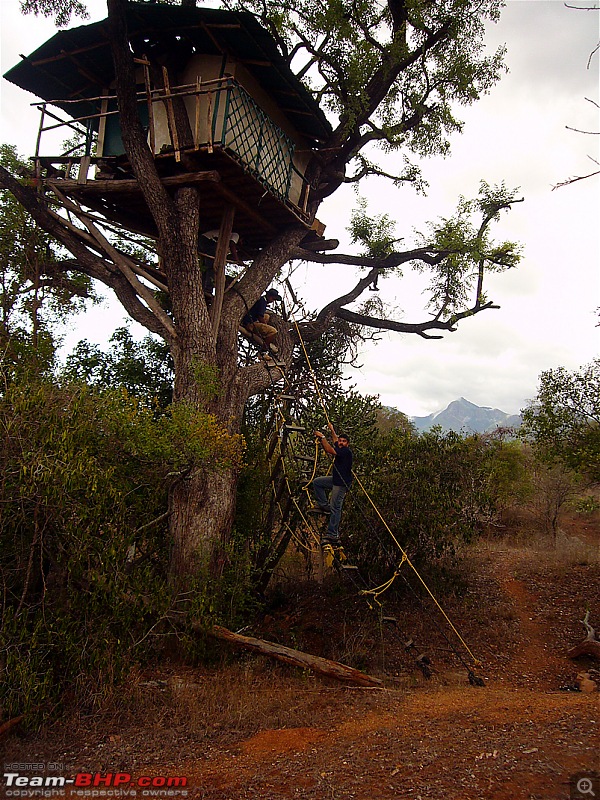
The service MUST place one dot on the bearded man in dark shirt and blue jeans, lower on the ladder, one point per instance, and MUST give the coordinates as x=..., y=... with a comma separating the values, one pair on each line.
x=337, y=483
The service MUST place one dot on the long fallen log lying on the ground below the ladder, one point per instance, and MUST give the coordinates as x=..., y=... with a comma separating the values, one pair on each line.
x=333, y=669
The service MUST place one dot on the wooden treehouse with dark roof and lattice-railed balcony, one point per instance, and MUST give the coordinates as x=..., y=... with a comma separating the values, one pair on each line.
x=219, y=106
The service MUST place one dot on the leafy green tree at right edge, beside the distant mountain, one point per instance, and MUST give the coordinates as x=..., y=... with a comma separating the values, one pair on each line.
x=564, y=419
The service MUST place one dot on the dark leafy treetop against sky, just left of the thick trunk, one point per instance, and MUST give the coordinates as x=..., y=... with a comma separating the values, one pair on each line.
x=144, y=368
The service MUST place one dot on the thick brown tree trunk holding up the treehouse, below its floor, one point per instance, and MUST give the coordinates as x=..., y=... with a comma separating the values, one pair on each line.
x=202, y=504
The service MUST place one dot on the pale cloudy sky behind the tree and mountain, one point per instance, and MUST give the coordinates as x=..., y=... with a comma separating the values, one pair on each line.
x=517, y=134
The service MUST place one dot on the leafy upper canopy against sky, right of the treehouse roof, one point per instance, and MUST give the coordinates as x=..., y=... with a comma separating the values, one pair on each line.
x=431, y=52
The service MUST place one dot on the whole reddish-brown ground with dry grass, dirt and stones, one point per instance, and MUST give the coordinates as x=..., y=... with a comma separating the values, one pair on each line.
x=256, y=729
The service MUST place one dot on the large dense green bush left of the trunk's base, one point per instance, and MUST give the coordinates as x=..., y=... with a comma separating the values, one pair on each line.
x=84, y=546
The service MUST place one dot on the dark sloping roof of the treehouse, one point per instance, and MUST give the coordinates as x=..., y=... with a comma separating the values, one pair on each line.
x=77, y=63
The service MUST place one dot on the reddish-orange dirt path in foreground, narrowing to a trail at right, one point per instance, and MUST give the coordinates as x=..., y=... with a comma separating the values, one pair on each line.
x=523, y=741
